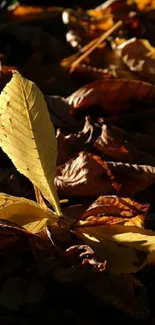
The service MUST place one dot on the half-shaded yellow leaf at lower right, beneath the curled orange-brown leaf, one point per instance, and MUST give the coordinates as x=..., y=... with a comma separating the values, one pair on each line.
x=126, y=249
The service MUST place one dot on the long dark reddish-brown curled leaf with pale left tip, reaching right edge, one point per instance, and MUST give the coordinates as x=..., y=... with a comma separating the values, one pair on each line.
x=112, y=95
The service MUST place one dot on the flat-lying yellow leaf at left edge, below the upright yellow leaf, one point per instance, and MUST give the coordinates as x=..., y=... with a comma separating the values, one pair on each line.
x=25, y=213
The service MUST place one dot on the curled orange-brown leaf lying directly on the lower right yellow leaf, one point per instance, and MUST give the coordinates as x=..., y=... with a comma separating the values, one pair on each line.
x=112, y=210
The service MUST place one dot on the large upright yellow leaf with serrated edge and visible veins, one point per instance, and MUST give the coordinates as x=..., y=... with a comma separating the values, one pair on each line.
x=27, y=135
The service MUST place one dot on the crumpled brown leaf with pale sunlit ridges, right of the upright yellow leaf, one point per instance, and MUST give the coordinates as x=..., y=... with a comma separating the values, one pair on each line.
x=82, y=176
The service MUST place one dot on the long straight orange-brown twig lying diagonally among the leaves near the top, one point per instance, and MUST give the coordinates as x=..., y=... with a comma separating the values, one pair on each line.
x=97, y=43
